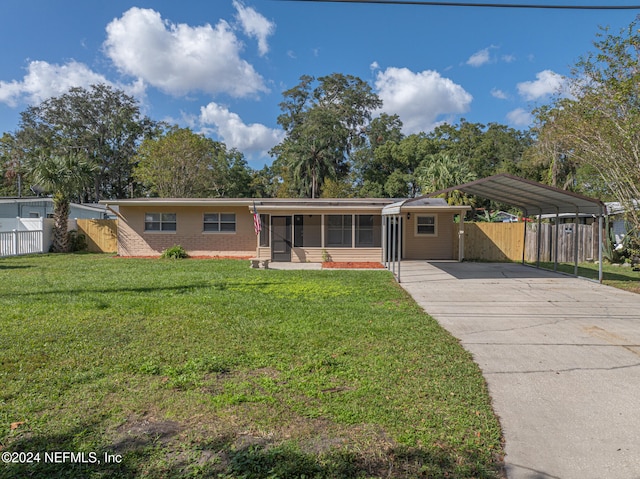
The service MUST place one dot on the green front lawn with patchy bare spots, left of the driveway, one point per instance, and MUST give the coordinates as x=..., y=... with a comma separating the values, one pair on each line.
x=205, y=368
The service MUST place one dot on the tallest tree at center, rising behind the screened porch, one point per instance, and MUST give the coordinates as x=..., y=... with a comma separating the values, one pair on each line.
x=323, y=122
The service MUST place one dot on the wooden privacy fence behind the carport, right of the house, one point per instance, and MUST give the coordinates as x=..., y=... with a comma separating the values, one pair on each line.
x=504, y=242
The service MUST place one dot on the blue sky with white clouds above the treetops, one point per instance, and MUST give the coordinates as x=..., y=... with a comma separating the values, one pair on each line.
x=220, y=66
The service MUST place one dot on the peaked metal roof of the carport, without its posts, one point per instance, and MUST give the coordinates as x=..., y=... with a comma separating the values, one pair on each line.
x=533, y=198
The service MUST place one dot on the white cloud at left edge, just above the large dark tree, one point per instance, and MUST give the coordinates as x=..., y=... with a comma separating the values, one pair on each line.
x=45, y=80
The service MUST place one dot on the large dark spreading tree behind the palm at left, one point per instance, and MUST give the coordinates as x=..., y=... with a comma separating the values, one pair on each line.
x=100, y=123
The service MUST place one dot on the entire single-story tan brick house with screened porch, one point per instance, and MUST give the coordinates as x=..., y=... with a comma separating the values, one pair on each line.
x=291, y=230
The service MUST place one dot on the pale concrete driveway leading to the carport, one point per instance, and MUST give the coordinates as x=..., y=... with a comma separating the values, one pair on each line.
x=561, y=357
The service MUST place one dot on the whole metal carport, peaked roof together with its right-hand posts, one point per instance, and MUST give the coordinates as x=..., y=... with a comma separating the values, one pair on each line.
x=537, y=199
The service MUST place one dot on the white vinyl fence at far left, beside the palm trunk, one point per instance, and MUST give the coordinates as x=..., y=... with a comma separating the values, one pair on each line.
x=24, y=236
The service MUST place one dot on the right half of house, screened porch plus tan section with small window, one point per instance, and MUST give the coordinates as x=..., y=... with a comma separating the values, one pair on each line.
x=359, y=231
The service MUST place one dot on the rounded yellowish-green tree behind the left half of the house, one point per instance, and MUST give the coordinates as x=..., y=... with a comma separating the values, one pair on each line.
x=184, y=164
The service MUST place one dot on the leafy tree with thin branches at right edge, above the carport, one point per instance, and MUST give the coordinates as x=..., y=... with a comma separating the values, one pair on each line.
x=598, y=125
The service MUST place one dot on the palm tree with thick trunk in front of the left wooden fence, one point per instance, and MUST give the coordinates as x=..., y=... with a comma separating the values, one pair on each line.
x=64, y=177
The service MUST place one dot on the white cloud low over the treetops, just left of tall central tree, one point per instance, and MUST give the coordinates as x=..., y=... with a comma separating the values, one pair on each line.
x=237, y=134
